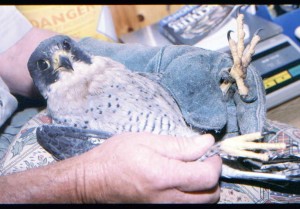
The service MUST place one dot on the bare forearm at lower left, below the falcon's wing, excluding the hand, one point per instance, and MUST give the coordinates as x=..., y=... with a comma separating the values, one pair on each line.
x=56, y=183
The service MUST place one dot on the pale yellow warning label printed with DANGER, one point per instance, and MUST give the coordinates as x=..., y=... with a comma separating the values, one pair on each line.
x=74, y=20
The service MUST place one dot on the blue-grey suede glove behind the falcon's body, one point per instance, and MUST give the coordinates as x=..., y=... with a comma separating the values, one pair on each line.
x=193, y=77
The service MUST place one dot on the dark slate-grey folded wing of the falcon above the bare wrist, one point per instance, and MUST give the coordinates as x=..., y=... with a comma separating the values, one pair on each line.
x=65, y=142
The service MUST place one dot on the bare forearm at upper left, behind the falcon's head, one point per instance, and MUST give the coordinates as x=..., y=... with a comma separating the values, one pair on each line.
x=13, y=69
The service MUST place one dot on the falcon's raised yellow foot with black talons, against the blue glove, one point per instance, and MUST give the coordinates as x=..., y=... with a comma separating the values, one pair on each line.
x=241, y=59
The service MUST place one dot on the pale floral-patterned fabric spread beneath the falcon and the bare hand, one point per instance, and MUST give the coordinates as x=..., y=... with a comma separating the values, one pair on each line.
x=25, y=153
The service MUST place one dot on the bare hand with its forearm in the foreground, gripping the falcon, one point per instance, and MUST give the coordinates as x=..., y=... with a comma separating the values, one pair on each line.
x=130, y=167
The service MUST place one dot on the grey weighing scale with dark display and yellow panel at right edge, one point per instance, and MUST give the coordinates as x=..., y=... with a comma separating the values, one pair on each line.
x=278, y=61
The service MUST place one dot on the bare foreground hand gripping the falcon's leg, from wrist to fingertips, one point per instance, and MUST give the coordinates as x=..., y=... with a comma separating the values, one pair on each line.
x=144, y=167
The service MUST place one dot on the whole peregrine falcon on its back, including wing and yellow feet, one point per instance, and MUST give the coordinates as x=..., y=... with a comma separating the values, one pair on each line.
x=94, y=97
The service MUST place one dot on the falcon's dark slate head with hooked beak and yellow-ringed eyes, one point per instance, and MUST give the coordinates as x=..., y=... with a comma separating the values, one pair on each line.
x=51, y=57
